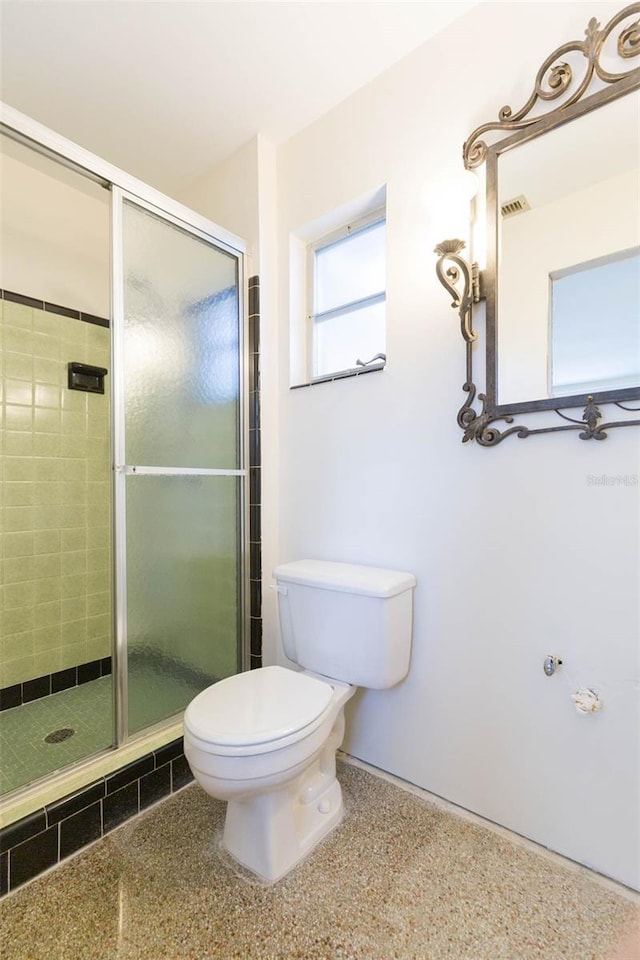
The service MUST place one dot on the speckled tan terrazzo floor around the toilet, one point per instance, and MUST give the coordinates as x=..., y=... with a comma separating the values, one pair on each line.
x=399, y=878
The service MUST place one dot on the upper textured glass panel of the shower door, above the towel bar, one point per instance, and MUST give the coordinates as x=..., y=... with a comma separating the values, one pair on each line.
x=181, y=342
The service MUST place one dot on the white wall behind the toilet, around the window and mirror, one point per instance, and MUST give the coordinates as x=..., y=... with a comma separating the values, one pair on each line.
x=516, y=552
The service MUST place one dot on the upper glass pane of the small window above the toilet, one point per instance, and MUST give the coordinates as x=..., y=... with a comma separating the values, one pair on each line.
x=351, y=269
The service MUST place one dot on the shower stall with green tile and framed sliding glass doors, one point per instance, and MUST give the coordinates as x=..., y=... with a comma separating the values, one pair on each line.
x=124, y=476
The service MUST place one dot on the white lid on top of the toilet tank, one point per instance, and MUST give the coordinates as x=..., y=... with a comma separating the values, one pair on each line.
x=345, y=577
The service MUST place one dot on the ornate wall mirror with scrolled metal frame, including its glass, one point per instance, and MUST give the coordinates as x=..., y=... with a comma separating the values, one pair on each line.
x=562, y=278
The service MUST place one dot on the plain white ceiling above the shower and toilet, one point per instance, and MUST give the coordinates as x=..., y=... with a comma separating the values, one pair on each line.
x=165, y=90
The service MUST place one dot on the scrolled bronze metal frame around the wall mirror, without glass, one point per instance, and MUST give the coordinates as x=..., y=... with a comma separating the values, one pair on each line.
x=468, y=286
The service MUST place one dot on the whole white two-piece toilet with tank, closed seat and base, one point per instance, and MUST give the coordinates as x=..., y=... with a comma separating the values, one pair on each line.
x=266, y=740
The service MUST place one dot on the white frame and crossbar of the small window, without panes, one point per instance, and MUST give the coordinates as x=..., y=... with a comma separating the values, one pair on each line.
x=379, y=215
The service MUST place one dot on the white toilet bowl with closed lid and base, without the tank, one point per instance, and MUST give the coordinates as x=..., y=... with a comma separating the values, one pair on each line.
x=265, y=741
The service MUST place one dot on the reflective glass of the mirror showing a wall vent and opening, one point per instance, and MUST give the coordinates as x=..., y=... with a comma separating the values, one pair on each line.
x=568, y=293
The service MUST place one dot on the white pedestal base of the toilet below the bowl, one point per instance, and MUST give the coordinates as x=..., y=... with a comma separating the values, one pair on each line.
x=271, y=832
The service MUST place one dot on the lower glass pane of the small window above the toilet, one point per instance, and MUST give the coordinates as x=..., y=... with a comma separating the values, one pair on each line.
x=344, y=338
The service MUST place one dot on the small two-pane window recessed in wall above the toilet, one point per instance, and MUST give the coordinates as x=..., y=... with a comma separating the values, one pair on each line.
x=347, y=293
